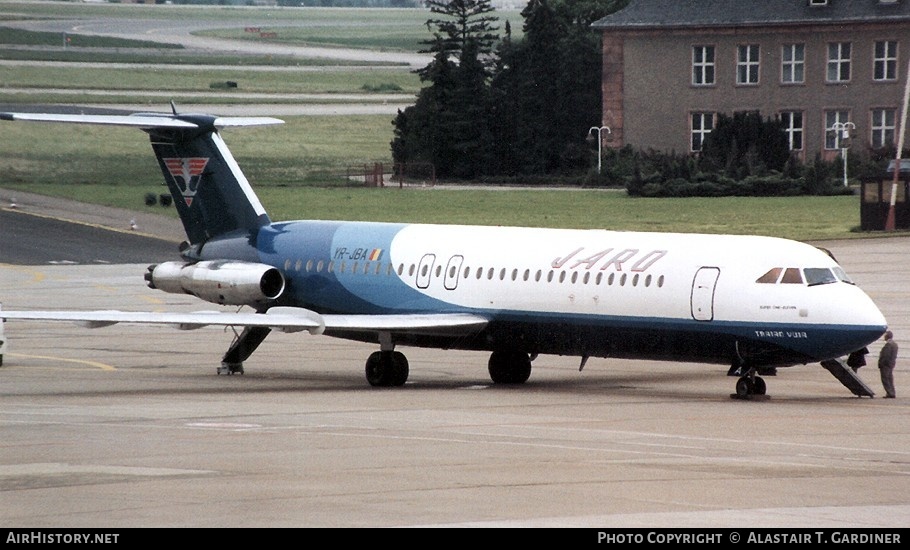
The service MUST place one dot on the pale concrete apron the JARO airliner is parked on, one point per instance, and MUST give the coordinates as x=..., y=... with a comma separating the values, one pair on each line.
x=129, y=426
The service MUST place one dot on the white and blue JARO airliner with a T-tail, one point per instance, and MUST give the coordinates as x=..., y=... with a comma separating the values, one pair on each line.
x=752, y=303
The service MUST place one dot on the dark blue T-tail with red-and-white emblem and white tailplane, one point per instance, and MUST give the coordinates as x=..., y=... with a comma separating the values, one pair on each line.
x=212, y=195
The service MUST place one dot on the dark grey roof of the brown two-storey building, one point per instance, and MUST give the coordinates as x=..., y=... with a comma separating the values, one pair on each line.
x=669, y=14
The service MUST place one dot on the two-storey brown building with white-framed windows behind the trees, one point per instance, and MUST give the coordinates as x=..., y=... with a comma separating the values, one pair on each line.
x=671, y=66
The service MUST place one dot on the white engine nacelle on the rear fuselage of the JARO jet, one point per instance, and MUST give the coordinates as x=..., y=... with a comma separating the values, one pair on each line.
x=223, y=282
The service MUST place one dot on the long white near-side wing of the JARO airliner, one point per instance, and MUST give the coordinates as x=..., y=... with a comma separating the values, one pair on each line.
x=284, y=319
